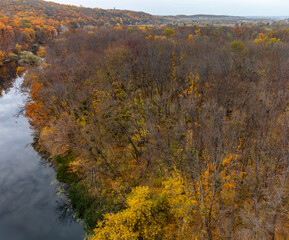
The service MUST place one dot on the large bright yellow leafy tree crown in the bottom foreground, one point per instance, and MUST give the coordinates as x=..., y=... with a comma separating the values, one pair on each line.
x=165, y=213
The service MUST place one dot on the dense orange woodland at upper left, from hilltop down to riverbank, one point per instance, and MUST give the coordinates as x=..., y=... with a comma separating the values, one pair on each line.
x=24, y=23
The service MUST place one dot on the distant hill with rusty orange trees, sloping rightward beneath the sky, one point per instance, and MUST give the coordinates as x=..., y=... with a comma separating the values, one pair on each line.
x=68, y=14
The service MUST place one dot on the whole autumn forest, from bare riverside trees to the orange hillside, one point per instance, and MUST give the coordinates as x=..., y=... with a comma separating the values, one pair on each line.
x=159, y=132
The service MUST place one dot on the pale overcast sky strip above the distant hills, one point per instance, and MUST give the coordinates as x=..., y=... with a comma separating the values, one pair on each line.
x=173, y=7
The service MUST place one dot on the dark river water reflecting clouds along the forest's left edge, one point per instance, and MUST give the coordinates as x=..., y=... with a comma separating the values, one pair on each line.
x=28, y=189
